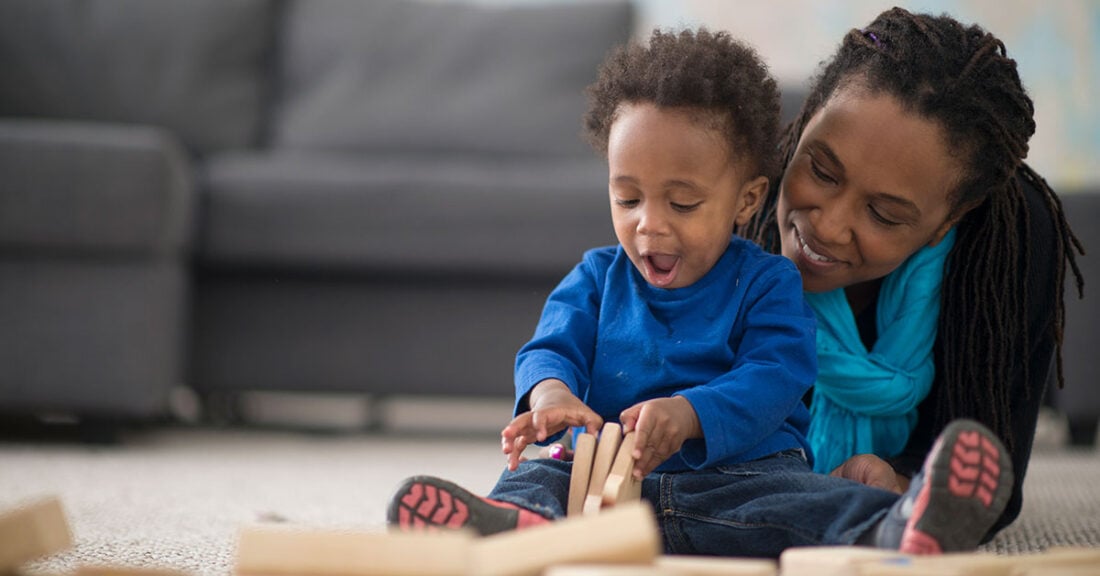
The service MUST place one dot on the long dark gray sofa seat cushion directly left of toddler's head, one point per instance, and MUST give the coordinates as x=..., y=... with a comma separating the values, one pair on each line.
x=403, y=214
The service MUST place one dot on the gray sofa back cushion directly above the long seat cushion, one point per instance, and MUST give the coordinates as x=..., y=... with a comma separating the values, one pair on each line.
x=411, y=76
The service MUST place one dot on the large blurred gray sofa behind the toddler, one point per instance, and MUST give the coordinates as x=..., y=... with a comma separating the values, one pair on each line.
x=303, y=195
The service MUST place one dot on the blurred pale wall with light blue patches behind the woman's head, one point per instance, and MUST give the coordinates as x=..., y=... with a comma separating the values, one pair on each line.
x=1057, y=46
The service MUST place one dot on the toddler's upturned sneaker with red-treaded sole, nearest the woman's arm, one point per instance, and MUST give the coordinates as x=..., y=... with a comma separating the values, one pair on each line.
x=962, y=491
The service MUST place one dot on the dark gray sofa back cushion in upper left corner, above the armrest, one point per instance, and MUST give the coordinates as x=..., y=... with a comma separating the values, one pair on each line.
x=197, y=68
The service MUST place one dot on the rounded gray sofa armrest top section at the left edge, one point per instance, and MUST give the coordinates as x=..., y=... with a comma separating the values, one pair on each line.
x=74, y=187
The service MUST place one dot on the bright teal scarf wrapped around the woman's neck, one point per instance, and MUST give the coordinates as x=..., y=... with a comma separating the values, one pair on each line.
x=865, y=403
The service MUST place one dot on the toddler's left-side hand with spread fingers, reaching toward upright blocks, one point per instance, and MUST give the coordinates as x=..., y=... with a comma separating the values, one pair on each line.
x=554, y=408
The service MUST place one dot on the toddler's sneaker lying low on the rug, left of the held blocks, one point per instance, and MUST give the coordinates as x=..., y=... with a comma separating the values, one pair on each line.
x=431, y=504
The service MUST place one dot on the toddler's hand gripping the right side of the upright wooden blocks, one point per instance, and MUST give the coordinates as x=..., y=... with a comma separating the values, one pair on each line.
x=662, y=426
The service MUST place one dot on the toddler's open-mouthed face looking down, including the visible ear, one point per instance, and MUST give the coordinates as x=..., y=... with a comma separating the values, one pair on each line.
x=676, y=192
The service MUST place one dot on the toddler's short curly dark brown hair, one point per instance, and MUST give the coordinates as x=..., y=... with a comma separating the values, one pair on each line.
x=701, y=71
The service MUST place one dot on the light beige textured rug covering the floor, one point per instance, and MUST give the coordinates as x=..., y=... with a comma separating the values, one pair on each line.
x=177, y=499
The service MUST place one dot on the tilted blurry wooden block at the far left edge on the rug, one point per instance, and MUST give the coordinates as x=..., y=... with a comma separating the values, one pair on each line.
x=31, y=531
